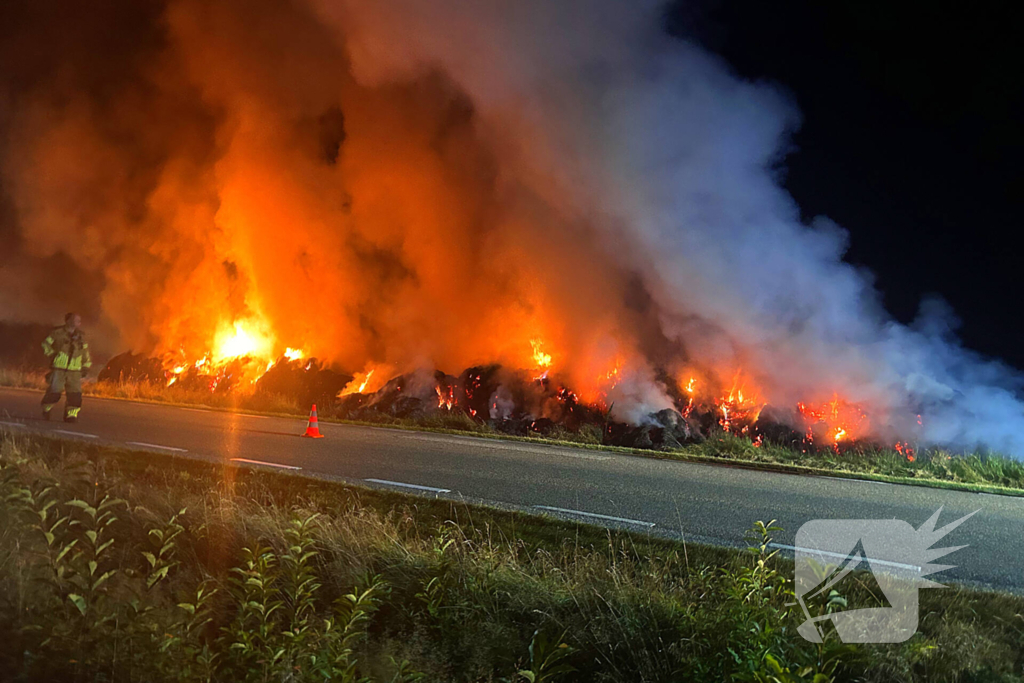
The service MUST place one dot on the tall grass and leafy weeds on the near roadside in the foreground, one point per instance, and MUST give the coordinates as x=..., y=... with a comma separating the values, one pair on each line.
x=118, y=568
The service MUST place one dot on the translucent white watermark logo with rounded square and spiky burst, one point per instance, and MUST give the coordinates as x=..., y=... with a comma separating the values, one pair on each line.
x=898, y=558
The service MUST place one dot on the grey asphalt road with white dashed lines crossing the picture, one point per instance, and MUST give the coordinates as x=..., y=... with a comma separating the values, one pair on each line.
x=702, y=503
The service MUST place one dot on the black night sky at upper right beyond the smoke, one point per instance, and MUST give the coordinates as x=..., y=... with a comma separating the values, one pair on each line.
x=913, y=140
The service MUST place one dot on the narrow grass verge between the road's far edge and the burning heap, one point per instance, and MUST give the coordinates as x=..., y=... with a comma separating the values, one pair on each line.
x=936, y=467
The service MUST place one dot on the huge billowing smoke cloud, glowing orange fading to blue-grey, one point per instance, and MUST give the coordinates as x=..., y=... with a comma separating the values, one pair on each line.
x=440, y=185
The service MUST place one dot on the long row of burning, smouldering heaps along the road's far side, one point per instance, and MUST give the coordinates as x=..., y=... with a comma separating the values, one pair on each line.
x=518, y=402
